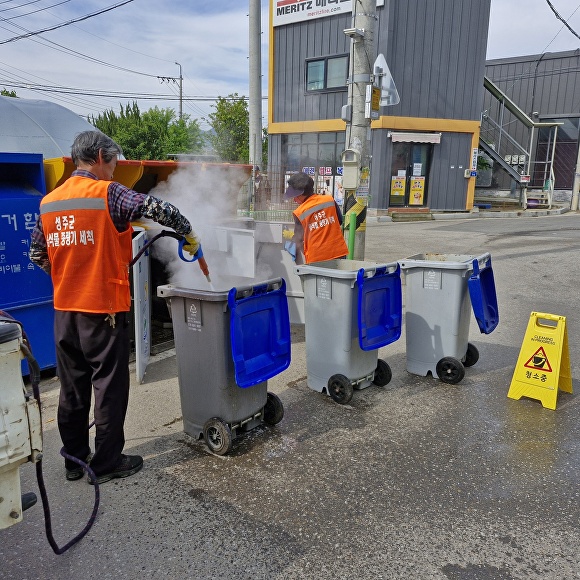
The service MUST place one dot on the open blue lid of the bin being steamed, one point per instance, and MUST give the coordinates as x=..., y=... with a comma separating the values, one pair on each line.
x=260, y=331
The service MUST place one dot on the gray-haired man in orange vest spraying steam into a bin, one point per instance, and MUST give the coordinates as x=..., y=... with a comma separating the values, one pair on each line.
x=83, y=240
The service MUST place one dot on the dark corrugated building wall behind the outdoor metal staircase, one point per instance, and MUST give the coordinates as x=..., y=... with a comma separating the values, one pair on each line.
x=547, y=88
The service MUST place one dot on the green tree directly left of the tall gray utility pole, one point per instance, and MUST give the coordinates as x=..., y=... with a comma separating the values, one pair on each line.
x=230, y=124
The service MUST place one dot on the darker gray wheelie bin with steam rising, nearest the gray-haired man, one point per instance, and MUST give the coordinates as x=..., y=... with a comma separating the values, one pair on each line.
x=228, y=343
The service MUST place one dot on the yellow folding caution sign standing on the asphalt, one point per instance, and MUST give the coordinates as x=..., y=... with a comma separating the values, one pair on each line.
x=543, y=366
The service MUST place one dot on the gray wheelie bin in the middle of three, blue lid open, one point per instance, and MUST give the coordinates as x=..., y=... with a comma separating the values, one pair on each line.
x=351, y=309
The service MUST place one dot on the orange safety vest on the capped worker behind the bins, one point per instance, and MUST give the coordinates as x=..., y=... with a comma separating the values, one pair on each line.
x=323, y=238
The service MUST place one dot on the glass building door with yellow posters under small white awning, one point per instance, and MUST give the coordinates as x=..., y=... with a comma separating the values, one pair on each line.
x=409, y=174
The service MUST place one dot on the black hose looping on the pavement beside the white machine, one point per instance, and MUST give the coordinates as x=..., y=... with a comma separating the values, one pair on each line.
x=34, y=368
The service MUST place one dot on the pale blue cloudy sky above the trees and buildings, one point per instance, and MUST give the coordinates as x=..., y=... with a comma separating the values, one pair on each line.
x=131, y=51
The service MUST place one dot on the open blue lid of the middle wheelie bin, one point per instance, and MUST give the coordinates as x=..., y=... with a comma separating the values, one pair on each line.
x=380, y=306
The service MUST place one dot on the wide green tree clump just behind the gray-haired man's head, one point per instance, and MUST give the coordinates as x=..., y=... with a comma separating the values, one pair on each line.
x=150, y=135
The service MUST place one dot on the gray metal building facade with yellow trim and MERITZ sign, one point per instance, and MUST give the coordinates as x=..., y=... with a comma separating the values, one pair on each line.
x=436, y=54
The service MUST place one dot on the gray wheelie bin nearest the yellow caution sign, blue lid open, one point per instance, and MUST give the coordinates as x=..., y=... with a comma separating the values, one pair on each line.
x=439, y=289
